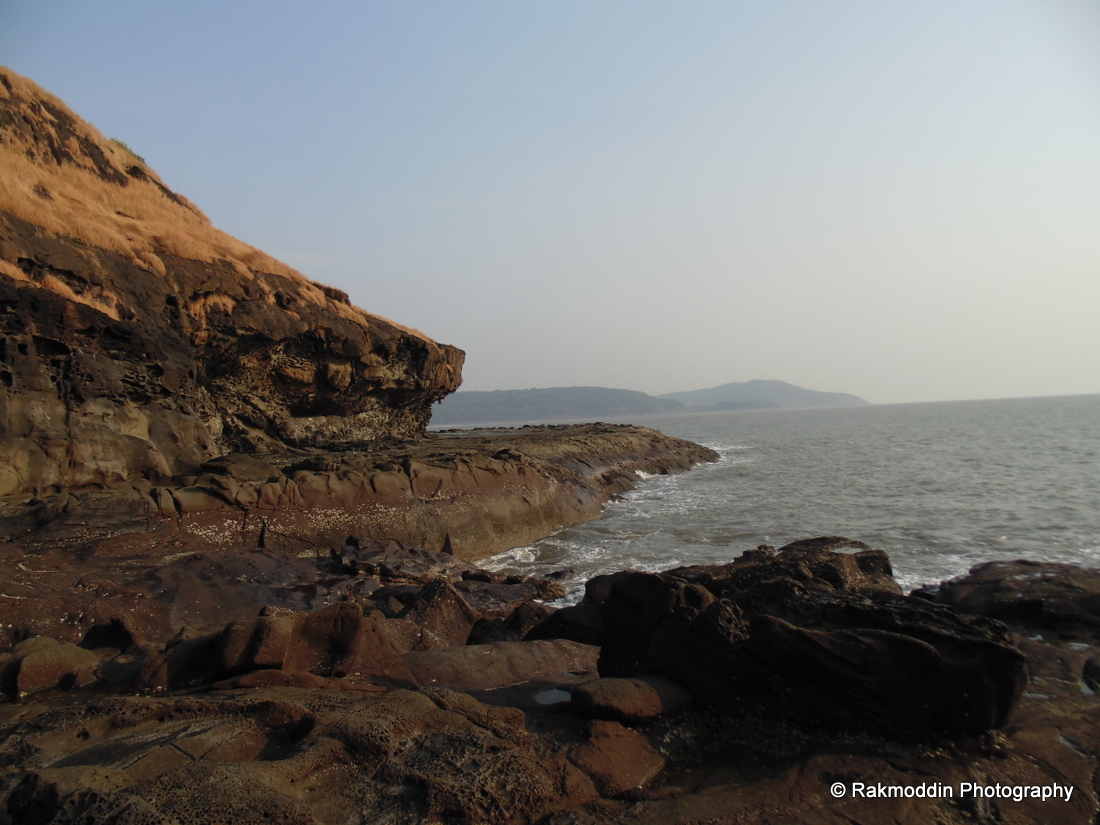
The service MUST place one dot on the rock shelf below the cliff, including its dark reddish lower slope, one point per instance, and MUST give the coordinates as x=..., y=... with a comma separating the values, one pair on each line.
x=247, y=532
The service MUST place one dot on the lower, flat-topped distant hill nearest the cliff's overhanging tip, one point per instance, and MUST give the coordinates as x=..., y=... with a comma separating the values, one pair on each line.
x=548, y=405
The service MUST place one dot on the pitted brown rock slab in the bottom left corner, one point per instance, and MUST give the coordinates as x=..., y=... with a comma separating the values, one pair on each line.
x=291, y=756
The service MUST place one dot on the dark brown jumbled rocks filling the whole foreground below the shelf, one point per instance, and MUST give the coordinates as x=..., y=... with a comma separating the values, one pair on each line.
x=428, y=690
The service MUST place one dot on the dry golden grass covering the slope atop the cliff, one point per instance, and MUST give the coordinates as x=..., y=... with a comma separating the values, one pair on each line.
x=139, y=222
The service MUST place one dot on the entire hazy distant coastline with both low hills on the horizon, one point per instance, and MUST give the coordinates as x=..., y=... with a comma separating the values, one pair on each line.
x=557, y=404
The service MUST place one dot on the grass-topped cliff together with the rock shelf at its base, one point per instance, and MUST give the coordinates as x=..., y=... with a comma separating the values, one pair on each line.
x=169, y=392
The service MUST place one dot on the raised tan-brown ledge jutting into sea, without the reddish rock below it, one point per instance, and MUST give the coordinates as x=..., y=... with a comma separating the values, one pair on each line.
x=471, y=494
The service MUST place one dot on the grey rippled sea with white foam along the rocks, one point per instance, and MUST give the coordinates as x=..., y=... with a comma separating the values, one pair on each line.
x=939, y=487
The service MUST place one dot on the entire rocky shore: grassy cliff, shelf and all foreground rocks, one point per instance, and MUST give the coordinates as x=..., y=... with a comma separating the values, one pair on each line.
x=238, y=580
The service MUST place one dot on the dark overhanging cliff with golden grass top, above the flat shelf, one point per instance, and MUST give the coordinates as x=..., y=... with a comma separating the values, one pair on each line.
x=139, y=342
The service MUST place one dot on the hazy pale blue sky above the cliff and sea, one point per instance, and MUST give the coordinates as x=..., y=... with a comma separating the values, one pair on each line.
x=895, y=200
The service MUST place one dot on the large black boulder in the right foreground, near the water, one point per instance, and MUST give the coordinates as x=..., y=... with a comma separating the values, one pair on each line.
x=812, y=634
